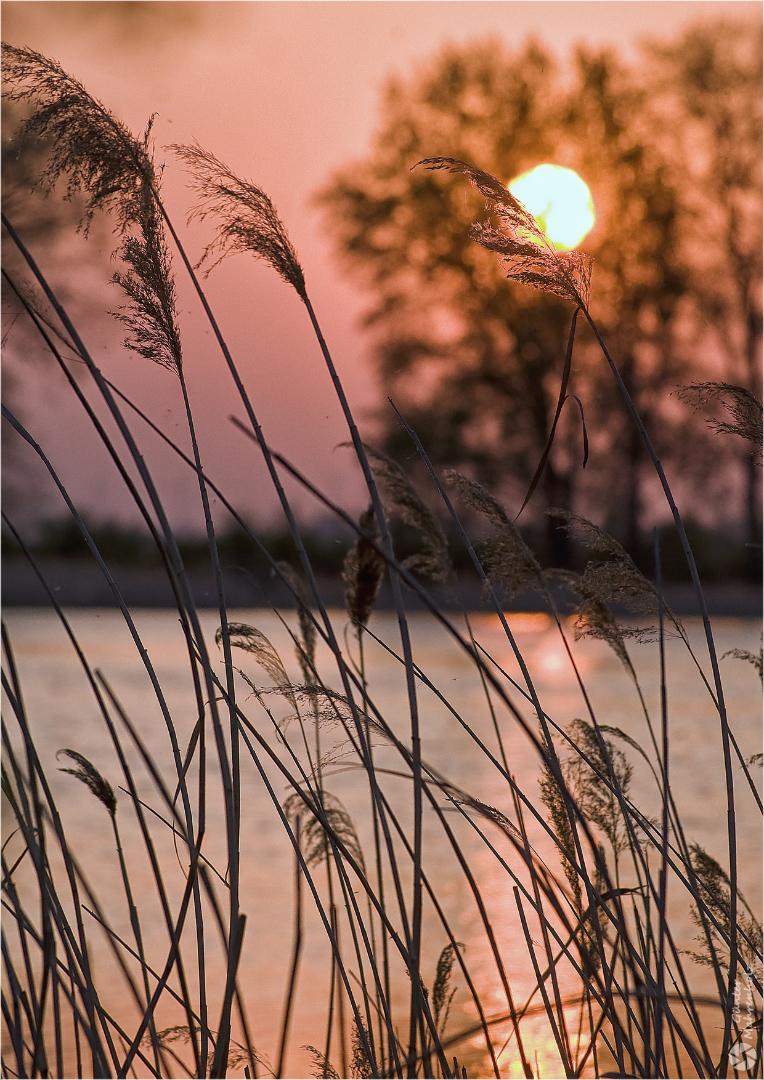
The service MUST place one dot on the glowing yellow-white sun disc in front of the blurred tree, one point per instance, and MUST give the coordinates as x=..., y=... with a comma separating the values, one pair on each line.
x=559, y=200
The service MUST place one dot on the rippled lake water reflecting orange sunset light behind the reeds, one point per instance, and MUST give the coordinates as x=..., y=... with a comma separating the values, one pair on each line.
x=63, y=714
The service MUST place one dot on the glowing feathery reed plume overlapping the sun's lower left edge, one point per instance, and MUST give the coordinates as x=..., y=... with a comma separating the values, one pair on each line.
x=526, y=253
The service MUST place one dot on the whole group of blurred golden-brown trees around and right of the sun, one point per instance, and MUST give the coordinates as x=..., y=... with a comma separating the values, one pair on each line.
x=671, y=148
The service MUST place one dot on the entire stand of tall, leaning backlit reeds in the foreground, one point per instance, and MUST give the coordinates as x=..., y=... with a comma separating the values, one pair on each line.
x=611, y=979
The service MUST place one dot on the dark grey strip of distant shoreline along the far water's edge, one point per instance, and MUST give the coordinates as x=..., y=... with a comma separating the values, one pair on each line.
x=79, y=585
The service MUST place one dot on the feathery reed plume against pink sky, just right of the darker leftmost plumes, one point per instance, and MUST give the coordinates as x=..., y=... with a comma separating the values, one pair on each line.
x=248, y=221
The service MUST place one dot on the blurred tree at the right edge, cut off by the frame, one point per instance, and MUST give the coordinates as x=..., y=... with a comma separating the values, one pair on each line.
x=712, y=107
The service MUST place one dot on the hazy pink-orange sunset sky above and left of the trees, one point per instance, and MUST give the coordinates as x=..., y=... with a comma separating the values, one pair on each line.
x=285, y=93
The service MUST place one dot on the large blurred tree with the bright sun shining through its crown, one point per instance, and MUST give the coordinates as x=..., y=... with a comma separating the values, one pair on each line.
x=475, y=361
